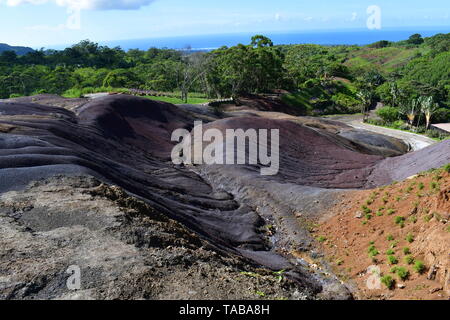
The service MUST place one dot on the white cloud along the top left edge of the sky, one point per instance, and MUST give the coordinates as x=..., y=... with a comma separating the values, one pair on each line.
x=87, y=4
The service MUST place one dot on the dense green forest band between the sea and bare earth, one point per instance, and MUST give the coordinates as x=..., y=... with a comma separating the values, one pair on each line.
x=411, y=77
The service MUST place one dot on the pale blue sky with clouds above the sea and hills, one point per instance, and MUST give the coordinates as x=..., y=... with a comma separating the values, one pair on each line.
x=43, y=23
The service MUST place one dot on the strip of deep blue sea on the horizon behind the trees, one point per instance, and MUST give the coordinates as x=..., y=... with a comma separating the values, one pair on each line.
x=210, y=42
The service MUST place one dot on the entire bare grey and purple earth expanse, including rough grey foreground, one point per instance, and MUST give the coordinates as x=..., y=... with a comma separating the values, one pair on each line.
x=92, y=184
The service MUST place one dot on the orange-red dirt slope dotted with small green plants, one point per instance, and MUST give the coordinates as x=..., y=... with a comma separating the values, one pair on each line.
x=410, y=219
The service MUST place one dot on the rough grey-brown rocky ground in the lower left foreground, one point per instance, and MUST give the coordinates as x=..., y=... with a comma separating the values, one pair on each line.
x=125, y=249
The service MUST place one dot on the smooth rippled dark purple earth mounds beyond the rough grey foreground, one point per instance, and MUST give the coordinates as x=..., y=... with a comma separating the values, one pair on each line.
x=126, y=141
